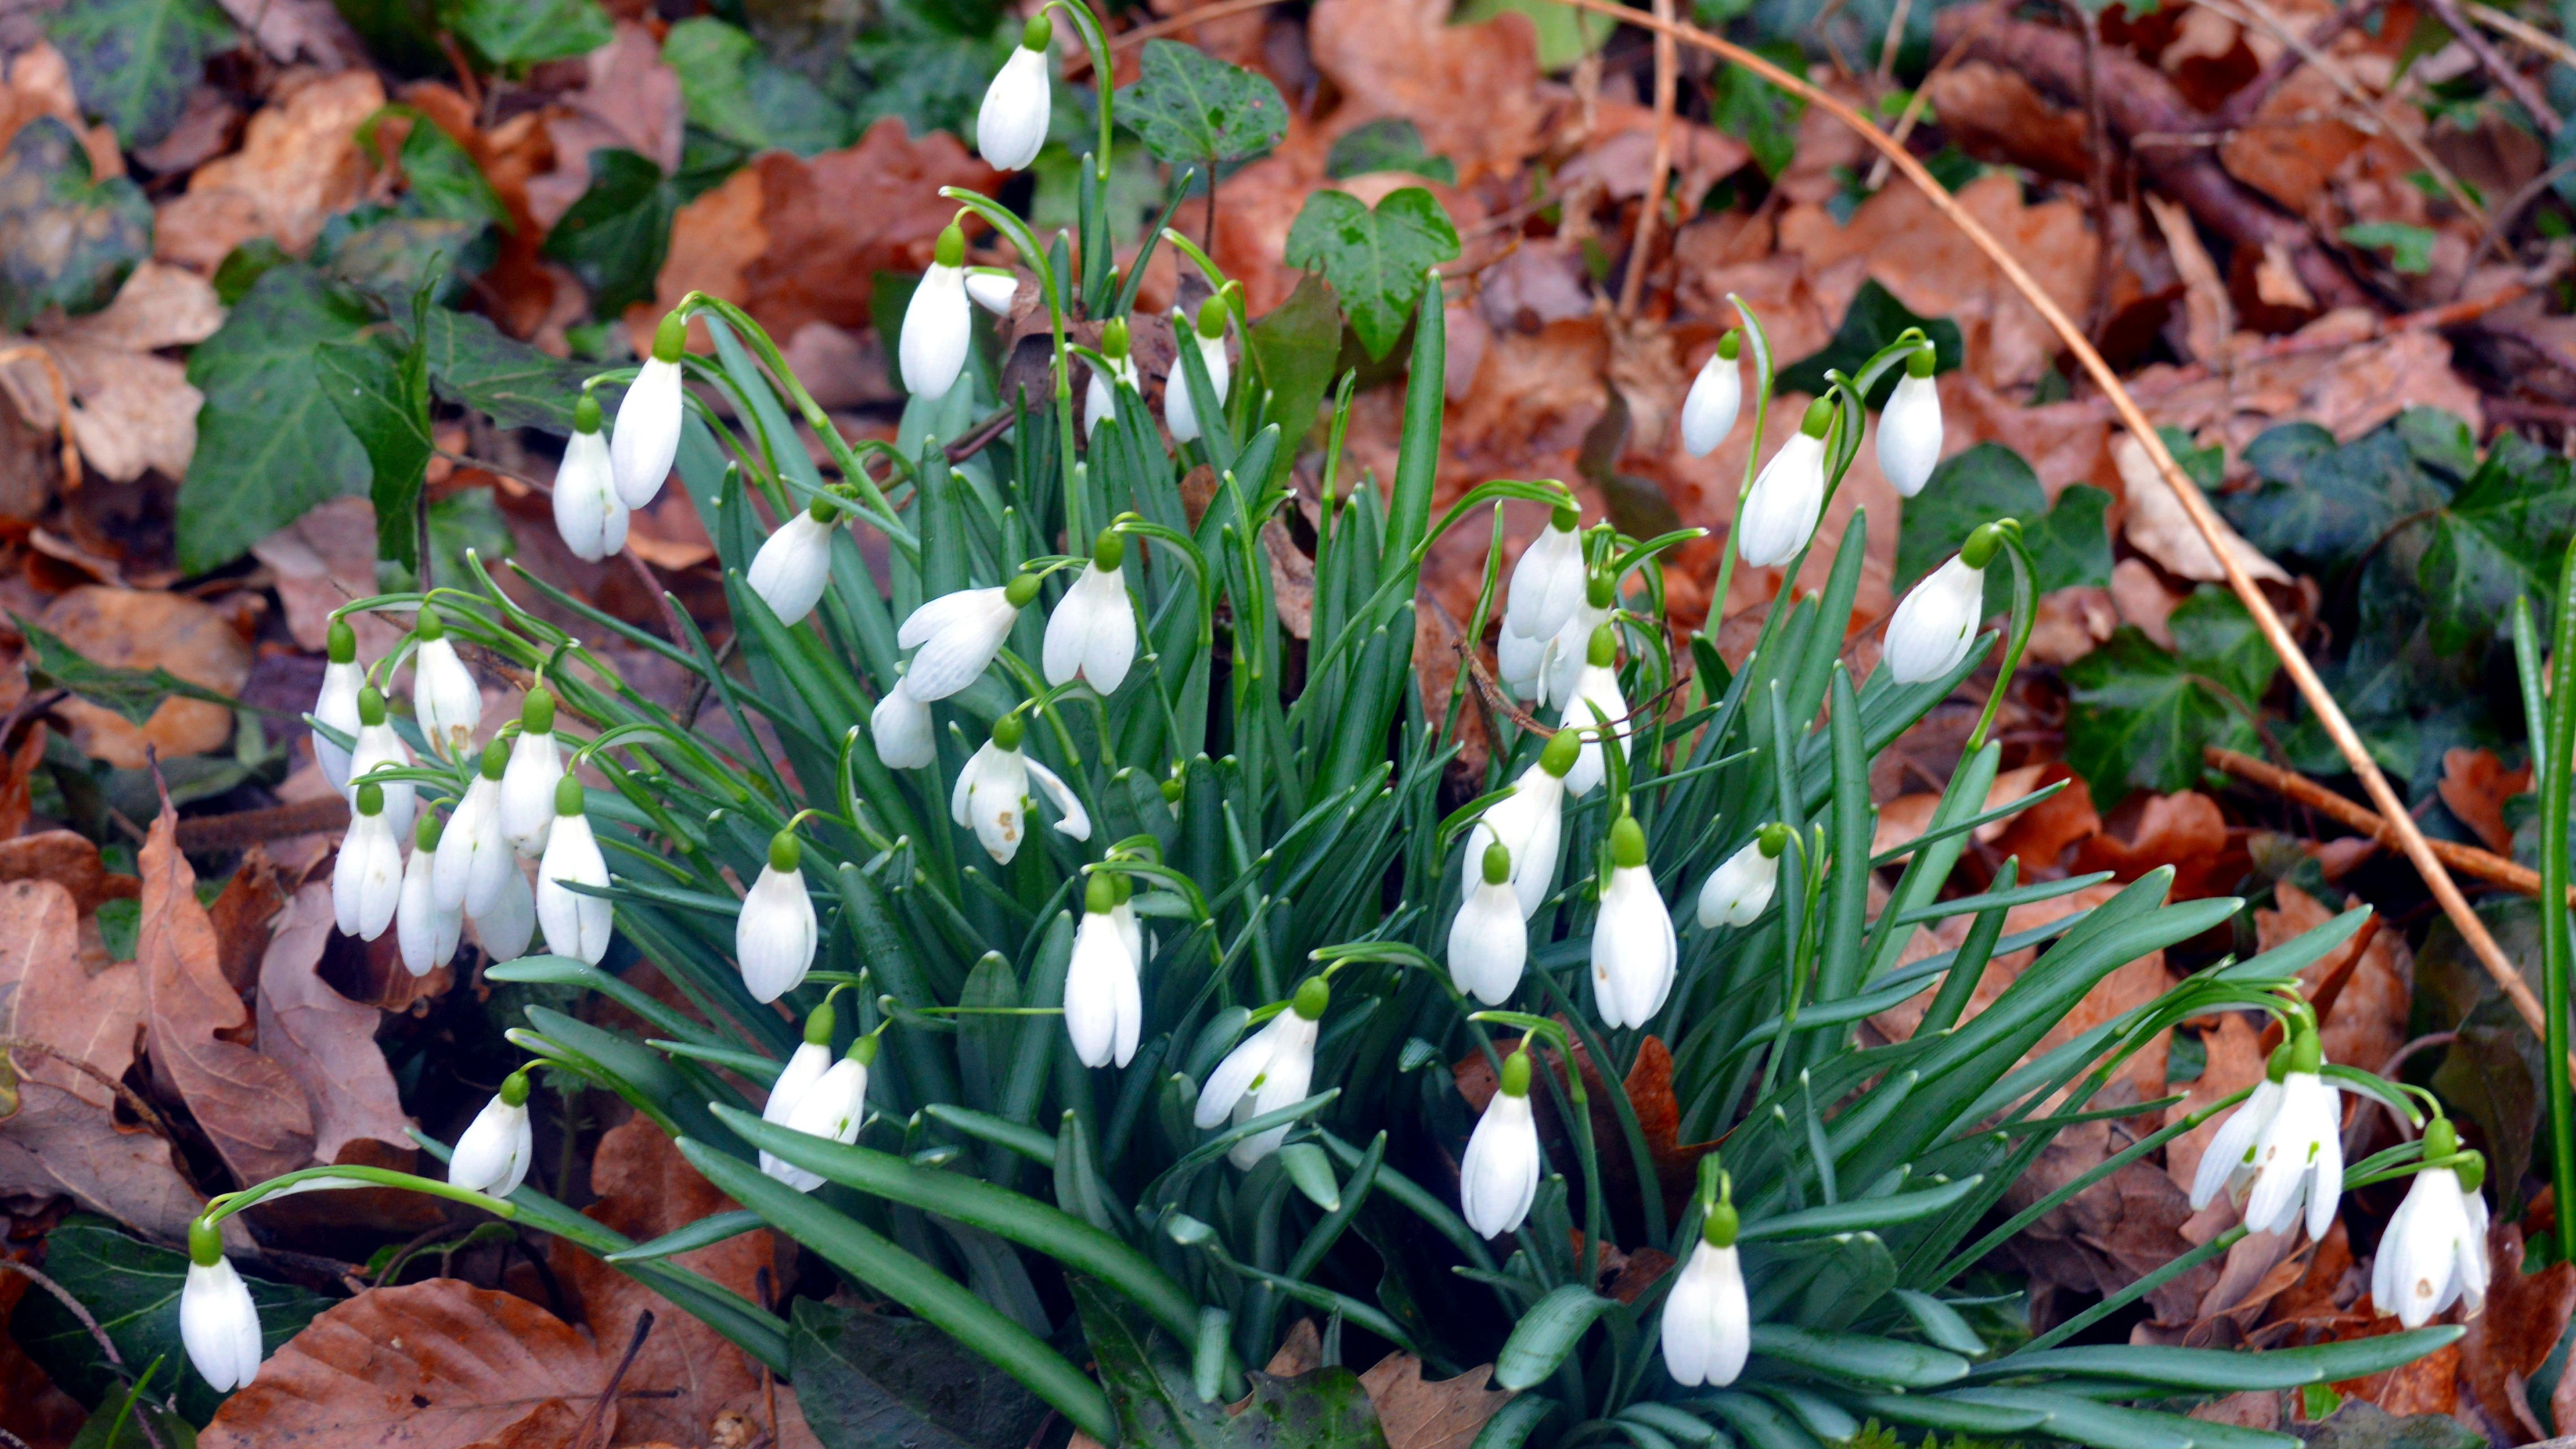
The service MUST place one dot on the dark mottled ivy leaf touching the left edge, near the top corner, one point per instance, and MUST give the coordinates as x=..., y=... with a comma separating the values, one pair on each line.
x=66, y=241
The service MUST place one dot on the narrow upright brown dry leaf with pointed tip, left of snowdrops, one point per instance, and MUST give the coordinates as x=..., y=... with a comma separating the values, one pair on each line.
x=249, y=1105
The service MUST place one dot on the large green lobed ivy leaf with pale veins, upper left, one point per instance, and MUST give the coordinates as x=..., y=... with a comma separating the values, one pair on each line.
x=269, y=445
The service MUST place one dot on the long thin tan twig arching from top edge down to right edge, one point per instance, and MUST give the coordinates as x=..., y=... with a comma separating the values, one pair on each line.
x=2196, y=504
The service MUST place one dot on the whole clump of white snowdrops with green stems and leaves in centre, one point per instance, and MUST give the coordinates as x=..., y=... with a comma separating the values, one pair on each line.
x=1096, y=948
